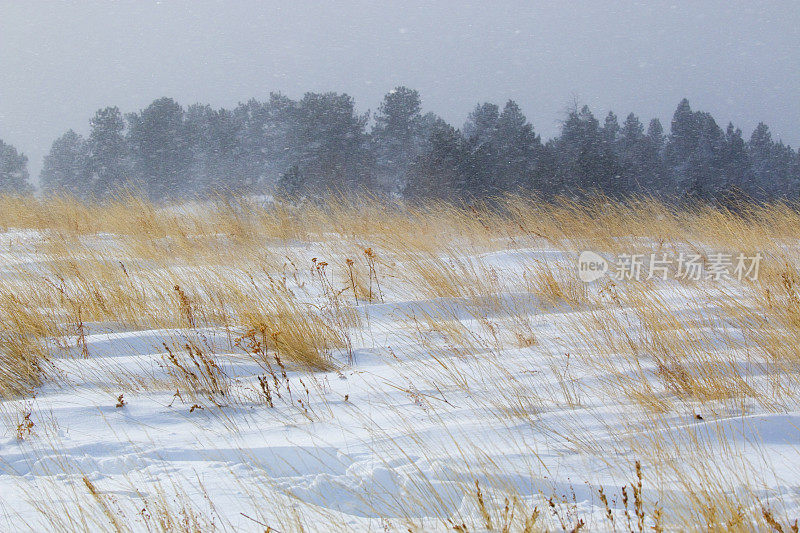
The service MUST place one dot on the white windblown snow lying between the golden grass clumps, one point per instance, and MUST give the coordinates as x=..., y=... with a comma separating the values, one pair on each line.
x=397, y=434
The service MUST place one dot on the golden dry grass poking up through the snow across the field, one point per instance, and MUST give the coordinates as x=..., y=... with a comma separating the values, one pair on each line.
x=291, y=286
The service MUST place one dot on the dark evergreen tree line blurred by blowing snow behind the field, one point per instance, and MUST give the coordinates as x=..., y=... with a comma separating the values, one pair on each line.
x=320, y=143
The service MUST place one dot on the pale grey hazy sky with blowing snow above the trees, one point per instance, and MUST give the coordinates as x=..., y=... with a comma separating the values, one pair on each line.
x=59, y=62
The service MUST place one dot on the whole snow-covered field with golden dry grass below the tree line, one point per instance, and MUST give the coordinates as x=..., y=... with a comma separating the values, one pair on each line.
x=343, y=368
